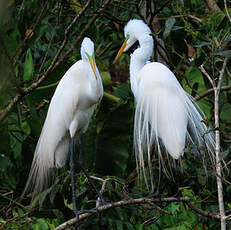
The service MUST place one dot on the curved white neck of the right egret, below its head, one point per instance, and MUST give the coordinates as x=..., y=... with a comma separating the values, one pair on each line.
x=139, y=58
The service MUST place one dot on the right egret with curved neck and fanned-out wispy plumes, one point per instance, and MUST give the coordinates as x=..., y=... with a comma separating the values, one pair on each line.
x=165, y=114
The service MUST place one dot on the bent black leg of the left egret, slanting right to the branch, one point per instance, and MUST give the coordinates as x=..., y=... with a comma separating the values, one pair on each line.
x=85, y=171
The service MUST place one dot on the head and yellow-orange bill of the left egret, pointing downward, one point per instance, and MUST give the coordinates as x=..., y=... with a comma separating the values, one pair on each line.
x=87, y=53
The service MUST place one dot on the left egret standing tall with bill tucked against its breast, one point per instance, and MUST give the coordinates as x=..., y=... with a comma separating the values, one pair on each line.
x=69, y=113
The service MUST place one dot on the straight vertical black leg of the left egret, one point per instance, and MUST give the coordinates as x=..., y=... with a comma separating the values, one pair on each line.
x=72, y=150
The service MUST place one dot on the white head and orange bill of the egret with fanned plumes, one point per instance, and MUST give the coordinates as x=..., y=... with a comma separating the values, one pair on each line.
x=134, y=30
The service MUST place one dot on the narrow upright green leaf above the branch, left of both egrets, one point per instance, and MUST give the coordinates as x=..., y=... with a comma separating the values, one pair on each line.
x=28, y=67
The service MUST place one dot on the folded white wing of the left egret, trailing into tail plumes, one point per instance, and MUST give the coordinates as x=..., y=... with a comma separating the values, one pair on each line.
x=52, y=147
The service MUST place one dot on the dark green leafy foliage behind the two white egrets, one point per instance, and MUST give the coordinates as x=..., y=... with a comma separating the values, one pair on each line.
x=187, y=34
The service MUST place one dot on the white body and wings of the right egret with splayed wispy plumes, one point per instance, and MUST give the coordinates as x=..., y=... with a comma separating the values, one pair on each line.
x=163, y=112
